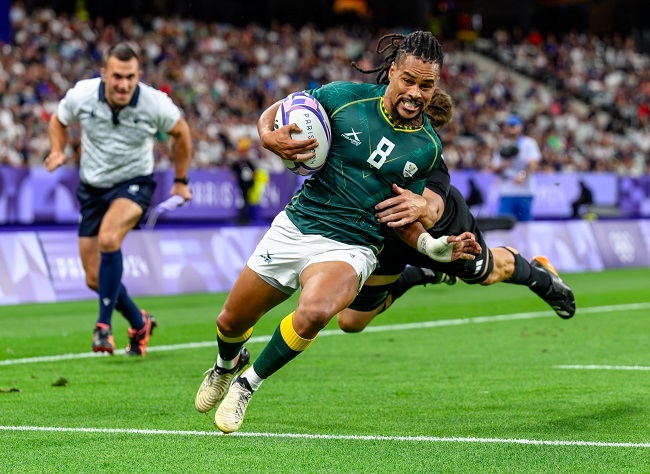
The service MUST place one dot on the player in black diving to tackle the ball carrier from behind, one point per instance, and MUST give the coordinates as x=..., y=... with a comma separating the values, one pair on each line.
x=493, y=265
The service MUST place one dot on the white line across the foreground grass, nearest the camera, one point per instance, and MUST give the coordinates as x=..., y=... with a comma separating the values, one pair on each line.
x=416, y=439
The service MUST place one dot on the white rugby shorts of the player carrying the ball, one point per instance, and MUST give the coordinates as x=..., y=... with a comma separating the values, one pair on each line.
x=284, y=252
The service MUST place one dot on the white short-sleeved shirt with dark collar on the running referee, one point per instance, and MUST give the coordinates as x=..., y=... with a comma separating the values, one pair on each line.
x=116, y=145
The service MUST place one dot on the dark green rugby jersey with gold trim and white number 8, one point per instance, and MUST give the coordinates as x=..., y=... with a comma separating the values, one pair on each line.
x=369, y=153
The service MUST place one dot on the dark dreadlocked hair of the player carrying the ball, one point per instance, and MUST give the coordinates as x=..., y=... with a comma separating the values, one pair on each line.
x=421, y=44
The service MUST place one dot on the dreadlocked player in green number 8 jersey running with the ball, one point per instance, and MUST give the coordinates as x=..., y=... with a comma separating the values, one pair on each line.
x=326, y=240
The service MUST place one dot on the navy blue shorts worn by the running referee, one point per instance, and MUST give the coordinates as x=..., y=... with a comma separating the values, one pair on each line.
x=95, y=202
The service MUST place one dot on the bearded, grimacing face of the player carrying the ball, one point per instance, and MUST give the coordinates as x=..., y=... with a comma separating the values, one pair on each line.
x=410, y=90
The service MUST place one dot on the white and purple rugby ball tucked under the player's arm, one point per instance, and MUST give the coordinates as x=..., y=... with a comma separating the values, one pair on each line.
x=306, y=112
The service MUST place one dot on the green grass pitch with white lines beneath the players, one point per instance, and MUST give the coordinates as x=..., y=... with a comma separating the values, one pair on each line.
x=459, y=379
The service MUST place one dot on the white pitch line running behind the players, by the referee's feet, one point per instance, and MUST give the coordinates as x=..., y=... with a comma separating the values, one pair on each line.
x=337, y=332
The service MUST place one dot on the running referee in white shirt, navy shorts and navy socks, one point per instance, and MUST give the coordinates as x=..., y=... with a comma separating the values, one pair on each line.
x=119, y=119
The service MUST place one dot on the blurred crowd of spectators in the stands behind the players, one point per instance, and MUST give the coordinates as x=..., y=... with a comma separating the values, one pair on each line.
x=586, y=100
